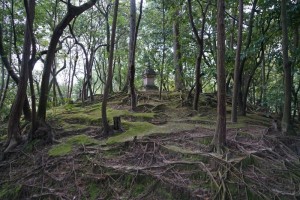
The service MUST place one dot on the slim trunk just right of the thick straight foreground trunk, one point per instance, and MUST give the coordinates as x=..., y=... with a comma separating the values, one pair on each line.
x=237, y=64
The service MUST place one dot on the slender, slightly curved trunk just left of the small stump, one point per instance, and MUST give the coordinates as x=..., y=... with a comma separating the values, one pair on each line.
x=106, y=128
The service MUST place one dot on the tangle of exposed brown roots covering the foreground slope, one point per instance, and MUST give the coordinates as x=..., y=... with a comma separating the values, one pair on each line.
x=172, y=166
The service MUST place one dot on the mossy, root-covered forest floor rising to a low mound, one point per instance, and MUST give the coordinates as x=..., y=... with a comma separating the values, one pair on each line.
x=163, y=153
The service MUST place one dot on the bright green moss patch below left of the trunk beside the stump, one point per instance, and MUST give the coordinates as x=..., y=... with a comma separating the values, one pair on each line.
x=66, y=147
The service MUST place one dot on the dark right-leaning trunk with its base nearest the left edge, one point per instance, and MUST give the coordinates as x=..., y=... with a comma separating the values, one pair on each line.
x=14, y=135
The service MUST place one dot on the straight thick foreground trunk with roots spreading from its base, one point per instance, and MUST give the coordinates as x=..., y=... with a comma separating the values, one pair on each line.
x=220, y=134
